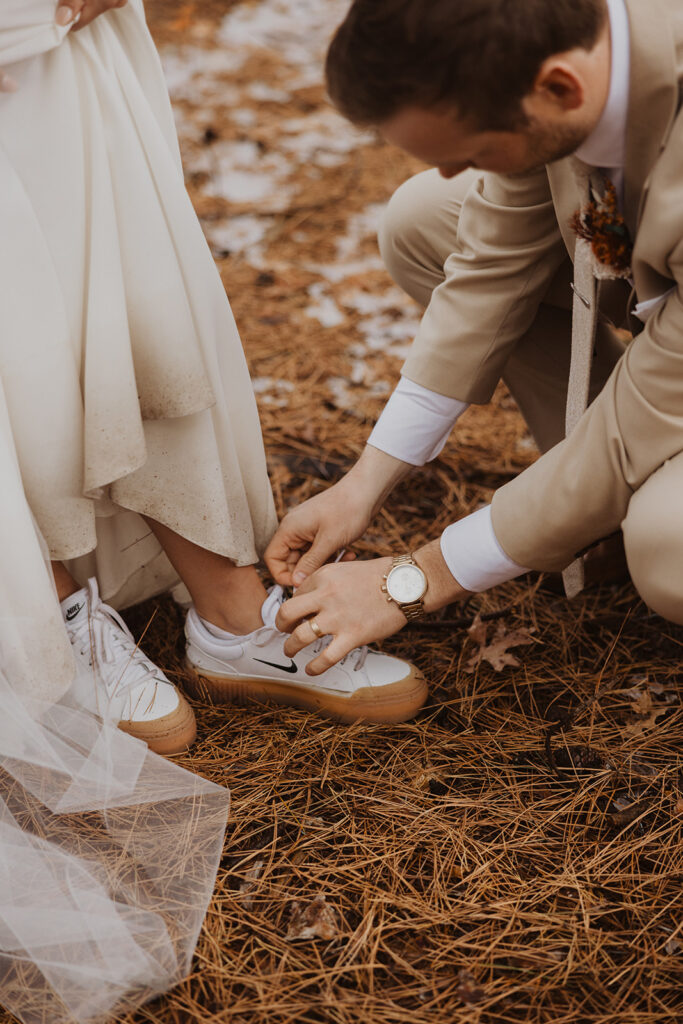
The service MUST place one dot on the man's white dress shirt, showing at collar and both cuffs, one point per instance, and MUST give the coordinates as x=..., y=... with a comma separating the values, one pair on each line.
x=416, y=422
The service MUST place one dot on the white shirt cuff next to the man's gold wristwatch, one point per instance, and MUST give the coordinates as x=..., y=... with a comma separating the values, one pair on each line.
x=474, y=556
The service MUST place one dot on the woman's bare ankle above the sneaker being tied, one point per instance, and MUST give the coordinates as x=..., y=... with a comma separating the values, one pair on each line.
x=226, y=595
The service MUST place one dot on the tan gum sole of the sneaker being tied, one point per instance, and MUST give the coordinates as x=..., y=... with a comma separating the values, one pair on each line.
x=388, y=705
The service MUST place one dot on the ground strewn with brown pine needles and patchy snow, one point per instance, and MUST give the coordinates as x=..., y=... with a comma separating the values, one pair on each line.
x=515, y=855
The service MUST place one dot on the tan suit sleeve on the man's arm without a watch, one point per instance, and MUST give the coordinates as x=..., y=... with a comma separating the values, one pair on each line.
x=507, y=251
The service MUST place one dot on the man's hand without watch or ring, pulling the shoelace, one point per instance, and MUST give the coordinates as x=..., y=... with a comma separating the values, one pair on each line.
x=316, y=531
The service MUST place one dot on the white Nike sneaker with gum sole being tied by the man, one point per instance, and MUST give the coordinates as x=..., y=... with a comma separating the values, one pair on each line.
x=365, y=686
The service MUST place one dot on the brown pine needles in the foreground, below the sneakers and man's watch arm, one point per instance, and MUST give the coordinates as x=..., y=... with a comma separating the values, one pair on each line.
x=513, y=856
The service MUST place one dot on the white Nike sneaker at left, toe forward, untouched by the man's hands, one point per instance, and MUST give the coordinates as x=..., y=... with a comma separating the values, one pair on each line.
x=134, y=690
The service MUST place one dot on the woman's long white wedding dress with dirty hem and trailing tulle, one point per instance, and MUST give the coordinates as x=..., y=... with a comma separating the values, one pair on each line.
x=123, y=391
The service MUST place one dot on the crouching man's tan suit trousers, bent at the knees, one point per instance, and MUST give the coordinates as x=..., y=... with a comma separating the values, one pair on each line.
x=417, y=236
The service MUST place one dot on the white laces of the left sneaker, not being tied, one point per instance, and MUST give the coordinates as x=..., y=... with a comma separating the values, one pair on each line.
x=104, y=635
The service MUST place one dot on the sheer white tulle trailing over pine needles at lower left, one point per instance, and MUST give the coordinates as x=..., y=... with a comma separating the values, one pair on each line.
x=108, y=852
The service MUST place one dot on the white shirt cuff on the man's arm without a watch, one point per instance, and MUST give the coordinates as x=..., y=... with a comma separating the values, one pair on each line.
x=416, y=423
